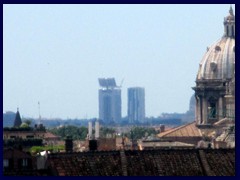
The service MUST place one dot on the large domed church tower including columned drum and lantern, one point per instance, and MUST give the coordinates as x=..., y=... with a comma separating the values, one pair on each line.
x=215, y=97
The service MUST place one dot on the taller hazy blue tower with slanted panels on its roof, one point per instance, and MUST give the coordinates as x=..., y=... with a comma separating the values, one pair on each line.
x=110, y=103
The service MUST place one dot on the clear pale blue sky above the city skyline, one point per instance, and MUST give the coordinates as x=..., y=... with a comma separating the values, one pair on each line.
x=56, y=53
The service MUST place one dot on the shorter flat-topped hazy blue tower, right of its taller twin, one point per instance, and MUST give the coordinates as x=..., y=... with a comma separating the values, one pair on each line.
x=136, y=104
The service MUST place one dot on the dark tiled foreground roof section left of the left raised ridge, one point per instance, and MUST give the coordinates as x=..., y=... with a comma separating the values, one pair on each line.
x=86, y=164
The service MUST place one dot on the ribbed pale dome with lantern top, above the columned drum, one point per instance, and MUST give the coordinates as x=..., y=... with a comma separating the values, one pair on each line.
x=219, y=60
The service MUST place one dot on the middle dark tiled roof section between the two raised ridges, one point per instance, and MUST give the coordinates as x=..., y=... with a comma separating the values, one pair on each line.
x=164, y=163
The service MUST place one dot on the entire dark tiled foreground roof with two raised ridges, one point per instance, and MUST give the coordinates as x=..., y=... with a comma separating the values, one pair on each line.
x=164, y=162
